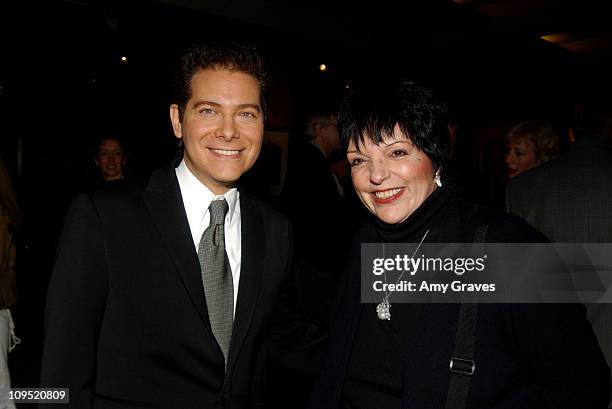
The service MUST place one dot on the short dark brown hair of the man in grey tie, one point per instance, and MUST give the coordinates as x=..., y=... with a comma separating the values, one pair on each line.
x=218, y=56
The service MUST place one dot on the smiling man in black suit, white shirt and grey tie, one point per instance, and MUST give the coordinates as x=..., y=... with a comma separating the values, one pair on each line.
x=136, y=316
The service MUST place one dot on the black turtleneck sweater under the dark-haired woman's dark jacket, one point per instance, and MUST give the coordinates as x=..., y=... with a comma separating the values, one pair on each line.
x=374, y=379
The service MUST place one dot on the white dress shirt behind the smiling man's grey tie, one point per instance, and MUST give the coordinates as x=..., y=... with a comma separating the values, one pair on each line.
x=197, y=198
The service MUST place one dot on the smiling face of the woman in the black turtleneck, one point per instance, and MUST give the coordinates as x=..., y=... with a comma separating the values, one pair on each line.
x=391, y=179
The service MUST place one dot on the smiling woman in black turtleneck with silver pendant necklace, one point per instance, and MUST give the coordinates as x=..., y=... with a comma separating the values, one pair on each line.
x=527, y=355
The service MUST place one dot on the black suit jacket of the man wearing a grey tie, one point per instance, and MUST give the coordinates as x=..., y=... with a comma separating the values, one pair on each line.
x=126, y=320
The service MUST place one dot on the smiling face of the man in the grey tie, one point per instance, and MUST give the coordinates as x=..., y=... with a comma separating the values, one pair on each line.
x=222, y=127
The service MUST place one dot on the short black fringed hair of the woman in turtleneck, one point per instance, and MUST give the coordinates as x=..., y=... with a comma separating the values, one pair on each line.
x=372, y=110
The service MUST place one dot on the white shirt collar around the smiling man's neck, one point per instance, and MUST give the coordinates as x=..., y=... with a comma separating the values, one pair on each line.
x=197, y=196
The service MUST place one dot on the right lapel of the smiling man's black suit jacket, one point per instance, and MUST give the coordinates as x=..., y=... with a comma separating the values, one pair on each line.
x=251, y=270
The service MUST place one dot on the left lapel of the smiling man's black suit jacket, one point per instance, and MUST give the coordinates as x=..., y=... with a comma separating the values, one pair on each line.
x=164, y=201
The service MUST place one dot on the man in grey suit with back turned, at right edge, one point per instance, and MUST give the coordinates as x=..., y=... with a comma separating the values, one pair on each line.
x=569, y=199
